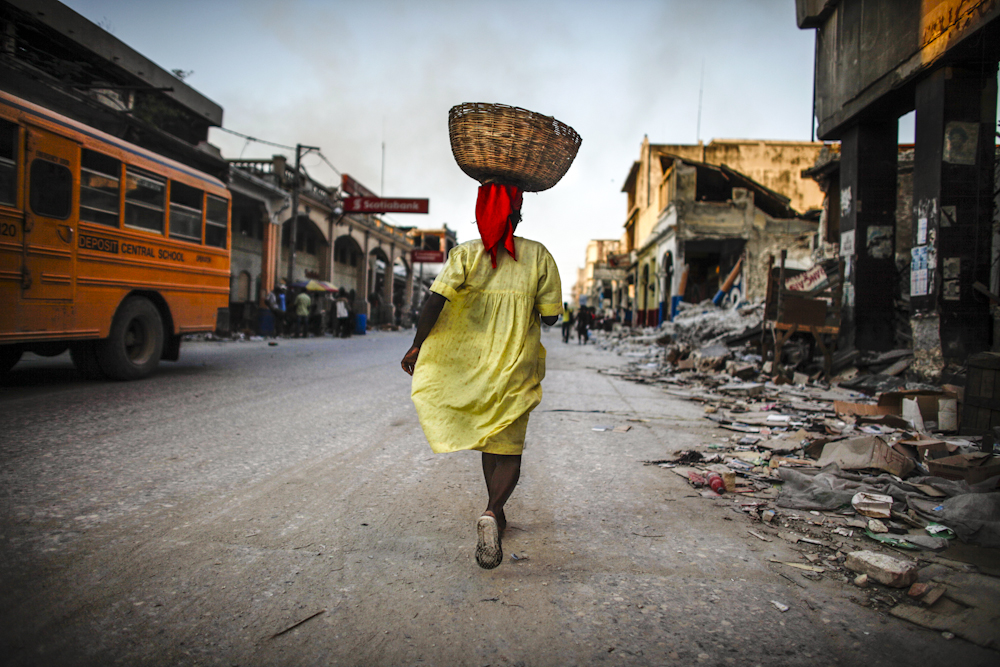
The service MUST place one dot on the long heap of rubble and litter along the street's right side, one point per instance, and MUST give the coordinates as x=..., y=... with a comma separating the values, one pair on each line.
x=868, y=481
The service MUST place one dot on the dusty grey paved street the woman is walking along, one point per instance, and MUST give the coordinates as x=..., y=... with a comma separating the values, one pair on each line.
x=197, y=516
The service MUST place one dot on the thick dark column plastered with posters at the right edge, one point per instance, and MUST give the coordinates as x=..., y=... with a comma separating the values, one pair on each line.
x=953, y=203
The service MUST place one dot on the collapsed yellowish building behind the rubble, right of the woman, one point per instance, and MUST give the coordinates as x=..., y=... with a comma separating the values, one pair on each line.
x=690, y=221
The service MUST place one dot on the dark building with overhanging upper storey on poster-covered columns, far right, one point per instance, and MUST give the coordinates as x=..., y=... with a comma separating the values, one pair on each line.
x=876, y=61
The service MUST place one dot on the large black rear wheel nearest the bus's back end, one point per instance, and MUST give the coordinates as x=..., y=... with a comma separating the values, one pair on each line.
x=134, y=347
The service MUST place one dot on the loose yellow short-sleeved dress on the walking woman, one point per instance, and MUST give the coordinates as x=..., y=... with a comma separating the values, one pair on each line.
x=479, y=372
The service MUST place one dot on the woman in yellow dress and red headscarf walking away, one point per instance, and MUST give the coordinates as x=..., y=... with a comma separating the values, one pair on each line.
x=477, y=361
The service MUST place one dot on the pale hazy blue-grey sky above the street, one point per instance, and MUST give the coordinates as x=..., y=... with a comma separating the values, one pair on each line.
x=354, y=77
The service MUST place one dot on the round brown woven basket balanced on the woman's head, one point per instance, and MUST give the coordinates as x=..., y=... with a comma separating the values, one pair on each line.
x=509, y=145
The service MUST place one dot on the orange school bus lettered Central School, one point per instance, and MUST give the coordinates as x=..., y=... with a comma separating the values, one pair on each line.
x=106, y=249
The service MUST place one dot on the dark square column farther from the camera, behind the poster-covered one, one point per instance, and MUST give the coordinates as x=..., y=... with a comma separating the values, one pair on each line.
x=868, y=191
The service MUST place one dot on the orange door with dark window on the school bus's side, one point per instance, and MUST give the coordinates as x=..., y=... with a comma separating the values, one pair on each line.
x=49, y=227
